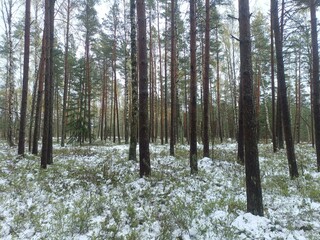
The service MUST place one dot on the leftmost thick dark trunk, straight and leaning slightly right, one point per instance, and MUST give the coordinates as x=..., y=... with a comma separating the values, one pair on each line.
x=24, y=97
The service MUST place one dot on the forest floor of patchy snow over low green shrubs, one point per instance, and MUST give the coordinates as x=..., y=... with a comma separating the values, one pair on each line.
x=94, y=192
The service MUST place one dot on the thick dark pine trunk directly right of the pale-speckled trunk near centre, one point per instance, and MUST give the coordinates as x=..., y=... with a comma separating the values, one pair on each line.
x=145, y=167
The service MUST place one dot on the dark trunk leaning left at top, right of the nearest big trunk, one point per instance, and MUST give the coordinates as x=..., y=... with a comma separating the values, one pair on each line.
x=293, y=169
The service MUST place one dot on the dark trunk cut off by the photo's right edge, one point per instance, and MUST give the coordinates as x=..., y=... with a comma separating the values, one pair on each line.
x=315, y=79
